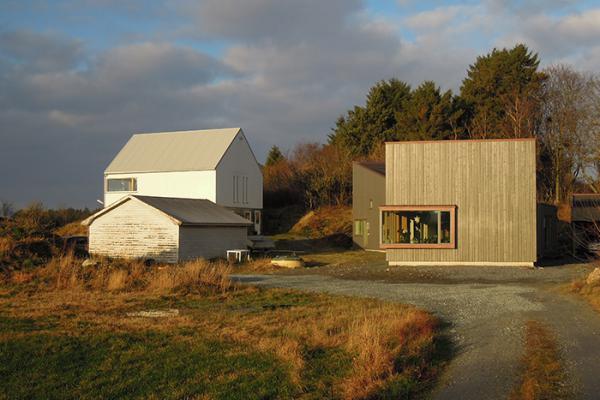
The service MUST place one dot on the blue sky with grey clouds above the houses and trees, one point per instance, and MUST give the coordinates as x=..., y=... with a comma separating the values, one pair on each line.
x=79, y=77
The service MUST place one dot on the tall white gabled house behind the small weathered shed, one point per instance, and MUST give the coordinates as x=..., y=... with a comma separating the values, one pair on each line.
x=216, y=164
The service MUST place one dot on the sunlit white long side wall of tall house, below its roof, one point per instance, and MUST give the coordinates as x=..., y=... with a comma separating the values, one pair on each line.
x=184, y=184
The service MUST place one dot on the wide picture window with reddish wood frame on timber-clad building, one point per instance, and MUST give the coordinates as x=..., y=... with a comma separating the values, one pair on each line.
x=418, y=226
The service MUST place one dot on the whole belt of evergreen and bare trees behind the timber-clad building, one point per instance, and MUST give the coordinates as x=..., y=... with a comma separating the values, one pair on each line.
x=504, y=95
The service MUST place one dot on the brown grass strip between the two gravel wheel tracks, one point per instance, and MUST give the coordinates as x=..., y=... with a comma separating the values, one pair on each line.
x=543, y=376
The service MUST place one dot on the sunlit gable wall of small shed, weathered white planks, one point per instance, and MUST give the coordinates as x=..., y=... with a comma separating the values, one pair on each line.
x=135, y=230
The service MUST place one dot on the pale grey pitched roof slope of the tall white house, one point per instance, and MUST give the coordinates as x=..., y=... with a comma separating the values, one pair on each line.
x=199, y=150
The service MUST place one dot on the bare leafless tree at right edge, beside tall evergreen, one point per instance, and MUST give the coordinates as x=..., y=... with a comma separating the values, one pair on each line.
x=570, y=130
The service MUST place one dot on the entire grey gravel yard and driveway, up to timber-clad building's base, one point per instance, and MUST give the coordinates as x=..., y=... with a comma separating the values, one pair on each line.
x=486, y=309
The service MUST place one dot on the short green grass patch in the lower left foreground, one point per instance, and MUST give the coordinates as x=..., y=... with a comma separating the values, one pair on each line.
x=140, y=365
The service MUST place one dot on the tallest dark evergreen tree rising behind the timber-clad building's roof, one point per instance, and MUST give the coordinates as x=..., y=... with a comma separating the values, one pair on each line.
x=501, y=91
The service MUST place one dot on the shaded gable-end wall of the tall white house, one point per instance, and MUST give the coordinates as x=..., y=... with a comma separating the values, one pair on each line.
x=239, y=162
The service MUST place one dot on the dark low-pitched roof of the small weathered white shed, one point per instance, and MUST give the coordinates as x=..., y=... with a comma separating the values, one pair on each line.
x=182, y=211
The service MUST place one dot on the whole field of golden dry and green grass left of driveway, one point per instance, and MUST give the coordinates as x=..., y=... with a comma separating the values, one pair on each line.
x=69, y=332
